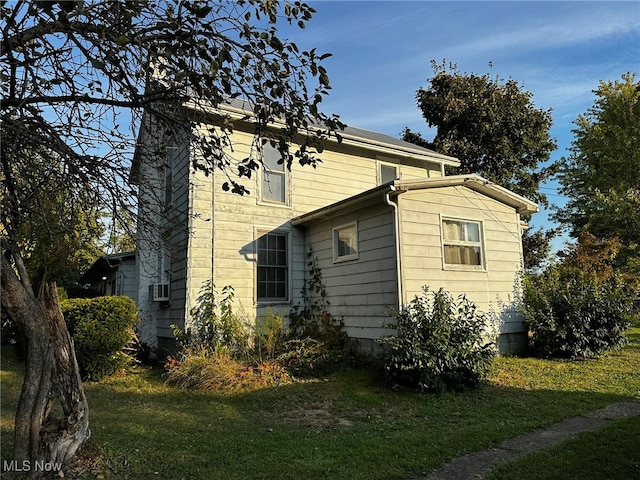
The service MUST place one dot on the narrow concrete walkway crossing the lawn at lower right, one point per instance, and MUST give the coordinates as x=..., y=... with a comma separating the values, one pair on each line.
x=476, y=465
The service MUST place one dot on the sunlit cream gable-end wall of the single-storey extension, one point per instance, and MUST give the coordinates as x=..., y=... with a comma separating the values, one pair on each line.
x=492, y=288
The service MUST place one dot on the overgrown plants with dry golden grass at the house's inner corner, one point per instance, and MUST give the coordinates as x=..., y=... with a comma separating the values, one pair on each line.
x=220, y=350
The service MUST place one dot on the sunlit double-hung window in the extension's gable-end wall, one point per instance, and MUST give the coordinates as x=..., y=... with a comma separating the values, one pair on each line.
x=462, y=244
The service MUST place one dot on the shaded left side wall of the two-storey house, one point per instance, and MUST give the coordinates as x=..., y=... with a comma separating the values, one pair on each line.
x=162, y=229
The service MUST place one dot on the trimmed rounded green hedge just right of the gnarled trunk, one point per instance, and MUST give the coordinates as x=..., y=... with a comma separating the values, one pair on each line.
x=101, y=328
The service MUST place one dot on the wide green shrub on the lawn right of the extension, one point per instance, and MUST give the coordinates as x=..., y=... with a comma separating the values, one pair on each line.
x=575, y=317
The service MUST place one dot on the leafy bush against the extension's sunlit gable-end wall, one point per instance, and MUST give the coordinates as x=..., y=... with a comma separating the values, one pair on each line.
x=439, y=344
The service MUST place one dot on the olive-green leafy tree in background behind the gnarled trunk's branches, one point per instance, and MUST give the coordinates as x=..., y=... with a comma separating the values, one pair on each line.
x=50, y=226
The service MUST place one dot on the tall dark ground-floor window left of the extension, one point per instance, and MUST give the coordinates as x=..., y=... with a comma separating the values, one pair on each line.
x=273, y=267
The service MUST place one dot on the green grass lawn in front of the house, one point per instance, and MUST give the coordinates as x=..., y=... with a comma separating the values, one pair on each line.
x=347, y=426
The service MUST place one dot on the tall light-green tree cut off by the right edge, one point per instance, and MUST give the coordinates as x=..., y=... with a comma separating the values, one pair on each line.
x=601, y=176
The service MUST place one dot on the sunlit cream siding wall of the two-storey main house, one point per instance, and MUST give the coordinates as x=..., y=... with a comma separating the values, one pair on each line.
x=225, y=226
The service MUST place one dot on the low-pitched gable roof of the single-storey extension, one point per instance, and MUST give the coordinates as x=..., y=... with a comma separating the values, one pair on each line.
x=374, y=195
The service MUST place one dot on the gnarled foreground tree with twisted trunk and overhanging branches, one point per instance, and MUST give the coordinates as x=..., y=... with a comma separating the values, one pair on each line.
x=75, y=78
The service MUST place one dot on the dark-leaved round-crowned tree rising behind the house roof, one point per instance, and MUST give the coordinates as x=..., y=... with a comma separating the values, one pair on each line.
x=496, y=131
